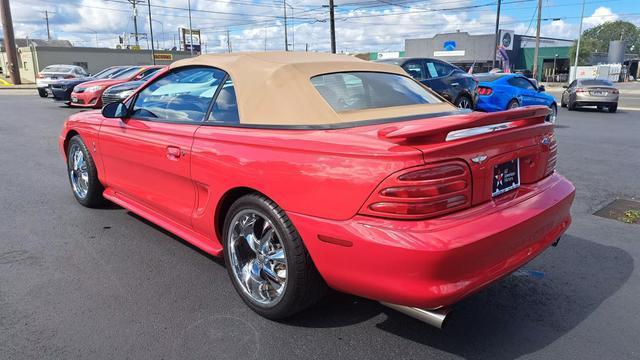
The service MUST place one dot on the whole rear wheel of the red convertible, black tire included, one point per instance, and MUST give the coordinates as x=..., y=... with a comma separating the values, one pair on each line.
x=301, y=286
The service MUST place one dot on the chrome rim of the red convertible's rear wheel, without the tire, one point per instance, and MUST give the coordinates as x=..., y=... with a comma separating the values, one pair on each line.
x=258, y=258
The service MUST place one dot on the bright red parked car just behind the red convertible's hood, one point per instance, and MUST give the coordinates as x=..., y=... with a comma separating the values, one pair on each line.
x=89, y=94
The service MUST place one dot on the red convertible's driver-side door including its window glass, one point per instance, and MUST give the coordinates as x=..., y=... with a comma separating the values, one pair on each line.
x=147, y=156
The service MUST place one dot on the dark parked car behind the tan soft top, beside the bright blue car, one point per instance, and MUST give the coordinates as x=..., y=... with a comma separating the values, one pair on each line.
x=451, y=82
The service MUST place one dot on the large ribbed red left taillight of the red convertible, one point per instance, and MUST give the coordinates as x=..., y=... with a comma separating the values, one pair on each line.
x=423, y=192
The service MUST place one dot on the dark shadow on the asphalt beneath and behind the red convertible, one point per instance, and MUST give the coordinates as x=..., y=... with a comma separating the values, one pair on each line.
x=516, y=316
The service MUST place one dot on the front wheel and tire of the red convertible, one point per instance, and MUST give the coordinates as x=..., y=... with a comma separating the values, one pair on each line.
x=83, y=176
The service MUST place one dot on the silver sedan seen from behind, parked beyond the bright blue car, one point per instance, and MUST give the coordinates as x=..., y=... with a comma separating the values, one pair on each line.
x=590, y=92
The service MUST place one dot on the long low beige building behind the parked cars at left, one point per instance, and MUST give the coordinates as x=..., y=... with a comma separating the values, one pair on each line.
x=35, y=55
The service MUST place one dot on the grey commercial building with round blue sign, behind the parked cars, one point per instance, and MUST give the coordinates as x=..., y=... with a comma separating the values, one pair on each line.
x=464, y=49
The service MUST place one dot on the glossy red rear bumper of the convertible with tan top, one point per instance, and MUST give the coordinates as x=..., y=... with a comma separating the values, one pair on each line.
x=437, y=262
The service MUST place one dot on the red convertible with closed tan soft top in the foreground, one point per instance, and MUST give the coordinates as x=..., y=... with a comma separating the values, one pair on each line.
x=312, y=170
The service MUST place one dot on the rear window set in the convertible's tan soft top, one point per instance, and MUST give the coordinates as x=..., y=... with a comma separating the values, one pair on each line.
x=351, y=91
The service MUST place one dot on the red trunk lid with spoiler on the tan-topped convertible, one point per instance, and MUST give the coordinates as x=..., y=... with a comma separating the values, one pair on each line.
x=483, y=141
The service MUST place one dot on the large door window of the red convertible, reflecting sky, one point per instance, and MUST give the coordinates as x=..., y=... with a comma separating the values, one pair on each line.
x=182, y=95
